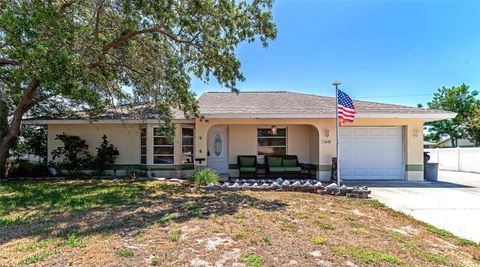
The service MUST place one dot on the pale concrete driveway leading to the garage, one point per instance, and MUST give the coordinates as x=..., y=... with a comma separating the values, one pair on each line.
x=452, y=203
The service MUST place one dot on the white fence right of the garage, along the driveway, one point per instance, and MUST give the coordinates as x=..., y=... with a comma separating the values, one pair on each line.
x=464, y=159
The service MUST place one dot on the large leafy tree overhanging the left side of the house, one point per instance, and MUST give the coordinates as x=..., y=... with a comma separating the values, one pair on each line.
x=58, y=55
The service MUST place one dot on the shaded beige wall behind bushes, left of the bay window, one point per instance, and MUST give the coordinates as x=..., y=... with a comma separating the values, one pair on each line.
x=125, y=137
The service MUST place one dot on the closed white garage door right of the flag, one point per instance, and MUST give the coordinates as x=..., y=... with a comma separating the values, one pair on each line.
x=371, y=153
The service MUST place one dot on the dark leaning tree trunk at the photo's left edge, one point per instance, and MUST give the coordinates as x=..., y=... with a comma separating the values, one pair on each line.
x=9, y=136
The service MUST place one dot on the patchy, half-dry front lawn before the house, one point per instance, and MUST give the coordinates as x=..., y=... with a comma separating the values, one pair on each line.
x=154, y=223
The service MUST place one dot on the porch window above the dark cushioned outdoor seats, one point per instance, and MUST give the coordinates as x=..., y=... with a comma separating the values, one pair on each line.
x=269, y=144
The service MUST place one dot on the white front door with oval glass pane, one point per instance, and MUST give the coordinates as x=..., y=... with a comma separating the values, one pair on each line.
x=217, y=149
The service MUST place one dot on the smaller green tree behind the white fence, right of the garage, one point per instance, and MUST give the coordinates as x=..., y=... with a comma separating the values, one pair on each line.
x=458, y=99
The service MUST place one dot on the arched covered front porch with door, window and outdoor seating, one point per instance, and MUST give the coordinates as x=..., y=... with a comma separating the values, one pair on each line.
x=220, y=142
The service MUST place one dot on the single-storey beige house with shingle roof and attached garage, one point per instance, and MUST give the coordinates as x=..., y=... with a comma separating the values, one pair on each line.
x=384, y=142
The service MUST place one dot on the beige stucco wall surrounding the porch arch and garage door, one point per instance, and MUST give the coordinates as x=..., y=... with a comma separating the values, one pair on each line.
x=320, y=147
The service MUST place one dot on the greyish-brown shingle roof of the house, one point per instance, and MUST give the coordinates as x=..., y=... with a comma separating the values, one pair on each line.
x=289, y=103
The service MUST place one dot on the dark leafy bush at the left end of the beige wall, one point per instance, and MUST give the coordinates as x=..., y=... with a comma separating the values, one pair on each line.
x=74, y=153
